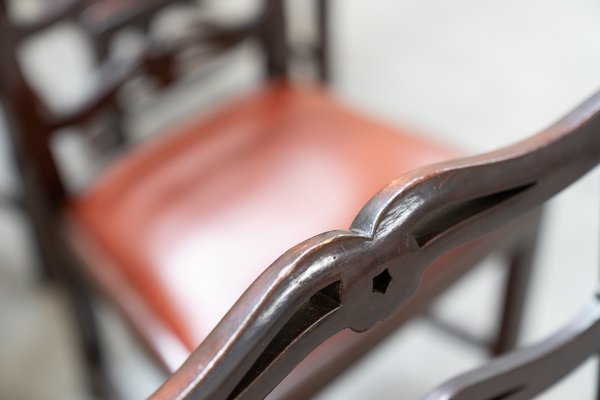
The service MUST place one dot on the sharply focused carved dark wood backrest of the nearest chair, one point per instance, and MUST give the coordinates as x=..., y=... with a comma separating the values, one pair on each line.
x=357, y=277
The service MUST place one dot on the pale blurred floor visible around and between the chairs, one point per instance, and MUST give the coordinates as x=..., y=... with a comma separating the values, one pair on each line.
x=477, y=73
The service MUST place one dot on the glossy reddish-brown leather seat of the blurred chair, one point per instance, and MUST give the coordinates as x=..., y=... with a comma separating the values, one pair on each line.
x=192, y=218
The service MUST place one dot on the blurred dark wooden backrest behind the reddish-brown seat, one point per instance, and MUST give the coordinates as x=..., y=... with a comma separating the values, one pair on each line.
x=32, y=126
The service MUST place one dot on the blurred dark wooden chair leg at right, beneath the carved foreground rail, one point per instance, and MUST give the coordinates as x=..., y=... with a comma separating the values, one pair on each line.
x=520, y=263
